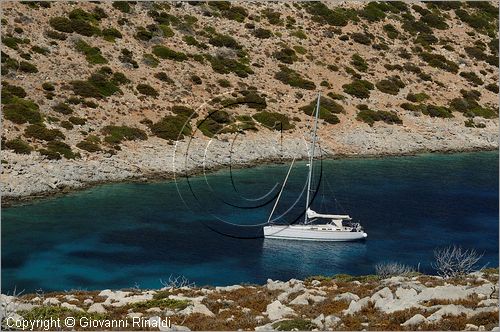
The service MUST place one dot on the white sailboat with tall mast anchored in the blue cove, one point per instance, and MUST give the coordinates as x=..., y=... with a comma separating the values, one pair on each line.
x=316, y=226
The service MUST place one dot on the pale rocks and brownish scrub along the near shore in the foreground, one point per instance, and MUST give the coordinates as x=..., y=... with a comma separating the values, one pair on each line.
x=318, y=303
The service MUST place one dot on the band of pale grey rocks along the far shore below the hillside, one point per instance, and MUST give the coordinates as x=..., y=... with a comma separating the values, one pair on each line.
x=28, y=177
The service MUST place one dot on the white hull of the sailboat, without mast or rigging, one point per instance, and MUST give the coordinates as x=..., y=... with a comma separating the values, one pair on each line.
x=311, y=233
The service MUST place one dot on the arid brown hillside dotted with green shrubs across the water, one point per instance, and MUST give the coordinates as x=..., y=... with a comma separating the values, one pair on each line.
x=100, y=91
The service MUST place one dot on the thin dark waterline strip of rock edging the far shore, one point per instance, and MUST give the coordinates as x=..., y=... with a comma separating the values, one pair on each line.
x=153, y=177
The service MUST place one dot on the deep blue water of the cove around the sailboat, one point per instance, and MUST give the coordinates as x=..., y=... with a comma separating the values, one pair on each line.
x=122, y=235
